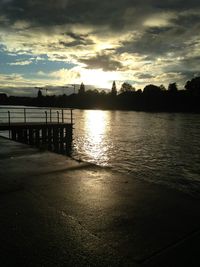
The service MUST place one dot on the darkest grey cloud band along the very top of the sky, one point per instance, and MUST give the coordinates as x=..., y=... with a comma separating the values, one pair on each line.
x=113, y=13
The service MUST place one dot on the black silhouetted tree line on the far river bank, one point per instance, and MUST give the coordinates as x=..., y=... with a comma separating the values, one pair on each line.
x=151, y=98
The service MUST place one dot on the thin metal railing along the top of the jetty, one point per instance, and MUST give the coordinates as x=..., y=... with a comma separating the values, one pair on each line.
x=26, y=115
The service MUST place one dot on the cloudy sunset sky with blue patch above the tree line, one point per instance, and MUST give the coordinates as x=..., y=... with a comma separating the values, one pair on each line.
x=48, y=43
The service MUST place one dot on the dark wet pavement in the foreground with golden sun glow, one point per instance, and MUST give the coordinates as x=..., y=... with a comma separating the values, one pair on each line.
x=58, y=212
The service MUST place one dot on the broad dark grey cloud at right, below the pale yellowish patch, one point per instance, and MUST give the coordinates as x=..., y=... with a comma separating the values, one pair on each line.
x=161, y=41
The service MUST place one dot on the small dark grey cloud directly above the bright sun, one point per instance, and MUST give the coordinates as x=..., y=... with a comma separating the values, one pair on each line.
x=103, y=62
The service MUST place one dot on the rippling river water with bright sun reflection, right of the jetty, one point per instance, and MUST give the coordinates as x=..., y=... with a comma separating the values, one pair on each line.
x=158, y=147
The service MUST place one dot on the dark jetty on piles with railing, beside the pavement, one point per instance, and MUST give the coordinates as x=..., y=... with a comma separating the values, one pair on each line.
x=51, y=128
